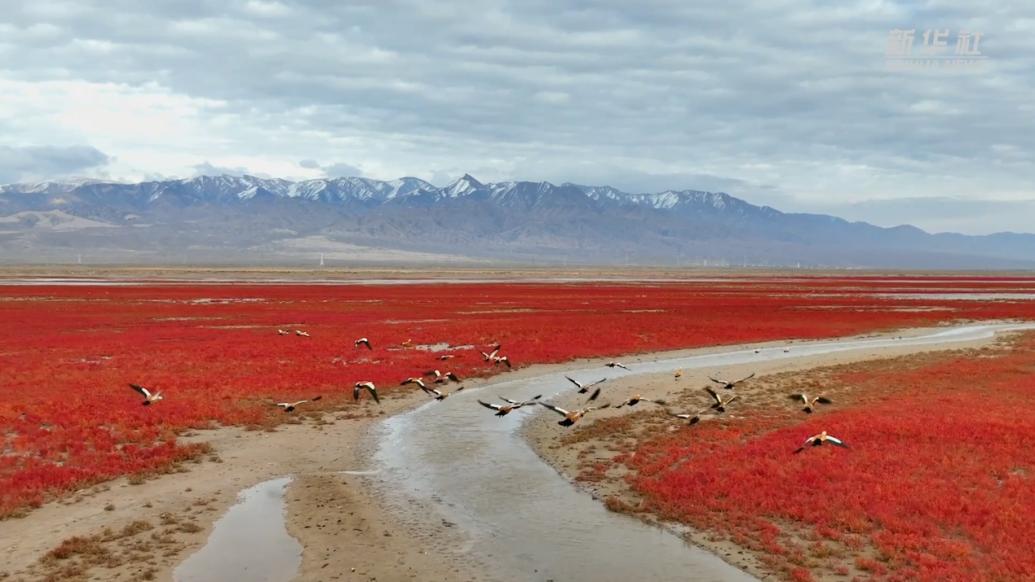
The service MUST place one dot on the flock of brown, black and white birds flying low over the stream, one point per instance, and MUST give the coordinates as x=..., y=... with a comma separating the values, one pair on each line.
x=720, y=400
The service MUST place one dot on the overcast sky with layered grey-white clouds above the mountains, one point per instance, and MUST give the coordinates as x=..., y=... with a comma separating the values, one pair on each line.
x=793, y=104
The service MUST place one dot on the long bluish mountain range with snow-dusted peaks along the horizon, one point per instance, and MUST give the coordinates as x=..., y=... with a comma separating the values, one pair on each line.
x=247, y=220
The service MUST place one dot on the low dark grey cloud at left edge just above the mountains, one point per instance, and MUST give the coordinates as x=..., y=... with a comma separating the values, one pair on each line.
x=39, y=163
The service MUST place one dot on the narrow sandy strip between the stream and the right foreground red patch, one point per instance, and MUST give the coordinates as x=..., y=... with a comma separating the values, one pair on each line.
x=570, y=452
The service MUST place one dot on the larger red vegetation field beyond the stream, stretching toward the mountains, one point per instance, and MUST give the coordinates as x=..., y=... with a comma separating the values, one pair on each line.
x=68, y=418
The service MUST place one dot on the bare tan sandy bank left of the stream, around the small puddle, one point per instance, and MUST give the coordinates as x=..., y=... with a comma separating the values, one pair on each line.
x=344, y=532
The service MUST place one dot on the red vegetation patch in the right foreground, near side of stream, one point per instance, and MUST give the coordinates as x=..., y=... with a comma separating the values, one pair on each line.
x=938, y=483
